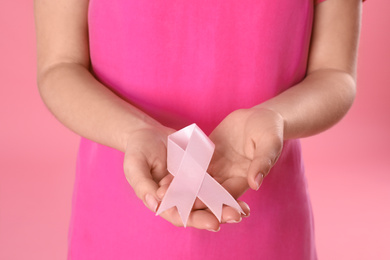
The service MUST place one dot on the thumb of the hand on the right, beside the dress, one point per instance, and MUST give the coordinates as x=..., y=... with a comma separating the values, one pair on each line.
x=263, y=160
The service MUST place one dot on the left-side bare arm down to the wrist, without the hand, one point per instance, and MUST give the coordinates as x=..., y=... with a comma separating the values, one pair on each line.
x=67, y=87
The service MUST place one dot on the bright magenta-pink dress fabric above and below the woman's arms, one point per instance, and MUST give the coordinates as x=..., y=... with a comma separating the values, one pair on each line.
x=184, y=62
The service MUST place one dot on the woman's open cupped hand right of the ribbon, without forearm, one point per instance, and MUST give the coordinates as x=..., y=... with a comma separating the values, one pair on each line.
x=248, y=143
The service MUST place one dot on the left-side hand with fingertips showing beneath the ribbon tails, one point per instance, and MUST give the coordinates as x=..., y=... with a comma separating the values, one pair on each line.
x=145, y=165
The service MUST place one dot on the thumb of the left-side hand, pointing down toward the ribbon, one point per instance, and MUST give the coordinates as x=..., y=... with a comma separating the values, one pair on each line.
x=138, y=174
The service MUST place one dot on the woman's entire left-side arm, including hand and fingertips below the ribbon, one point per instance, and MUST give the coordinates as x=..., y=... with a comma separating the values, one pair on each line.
x=91, y=110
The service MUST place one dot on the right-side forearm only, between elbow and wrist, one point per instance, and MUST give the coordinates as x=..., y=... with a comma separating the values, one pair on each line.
x=315, y=104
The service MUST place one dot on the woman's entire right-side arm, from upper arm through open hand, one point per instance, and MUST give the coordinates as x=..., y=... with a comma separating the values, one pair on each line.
x=254, y=137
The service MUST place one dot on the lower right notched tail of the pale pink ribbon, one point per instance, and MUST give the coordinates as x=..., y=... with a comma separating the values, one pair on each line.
x=214, y=196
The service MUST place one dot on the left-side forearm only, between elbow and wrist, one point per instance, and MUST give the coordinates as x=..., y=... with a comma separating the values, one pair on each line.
x=89, y=108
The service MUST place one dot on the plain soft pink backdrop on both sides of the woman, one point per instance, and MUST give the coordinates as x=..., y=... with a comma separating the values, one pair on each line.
x=348, y=167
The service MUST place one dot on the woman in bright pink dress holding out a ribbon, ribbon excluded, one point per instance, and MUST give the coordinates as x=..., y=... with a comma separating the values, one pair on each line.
x=254, y=75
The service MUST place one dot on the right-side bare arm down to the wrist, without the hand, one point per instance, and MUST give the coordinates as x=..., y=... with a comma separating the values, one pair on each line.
x=326, y=94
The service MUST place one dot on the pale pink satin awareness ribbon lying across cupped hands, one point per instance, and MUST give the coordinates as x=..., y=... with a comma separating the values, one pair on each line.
x=189, y=154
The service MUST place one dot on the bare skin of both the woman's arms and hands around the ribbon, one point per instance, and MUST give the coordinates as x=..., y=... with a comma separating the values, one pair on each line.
x=91, y=110
